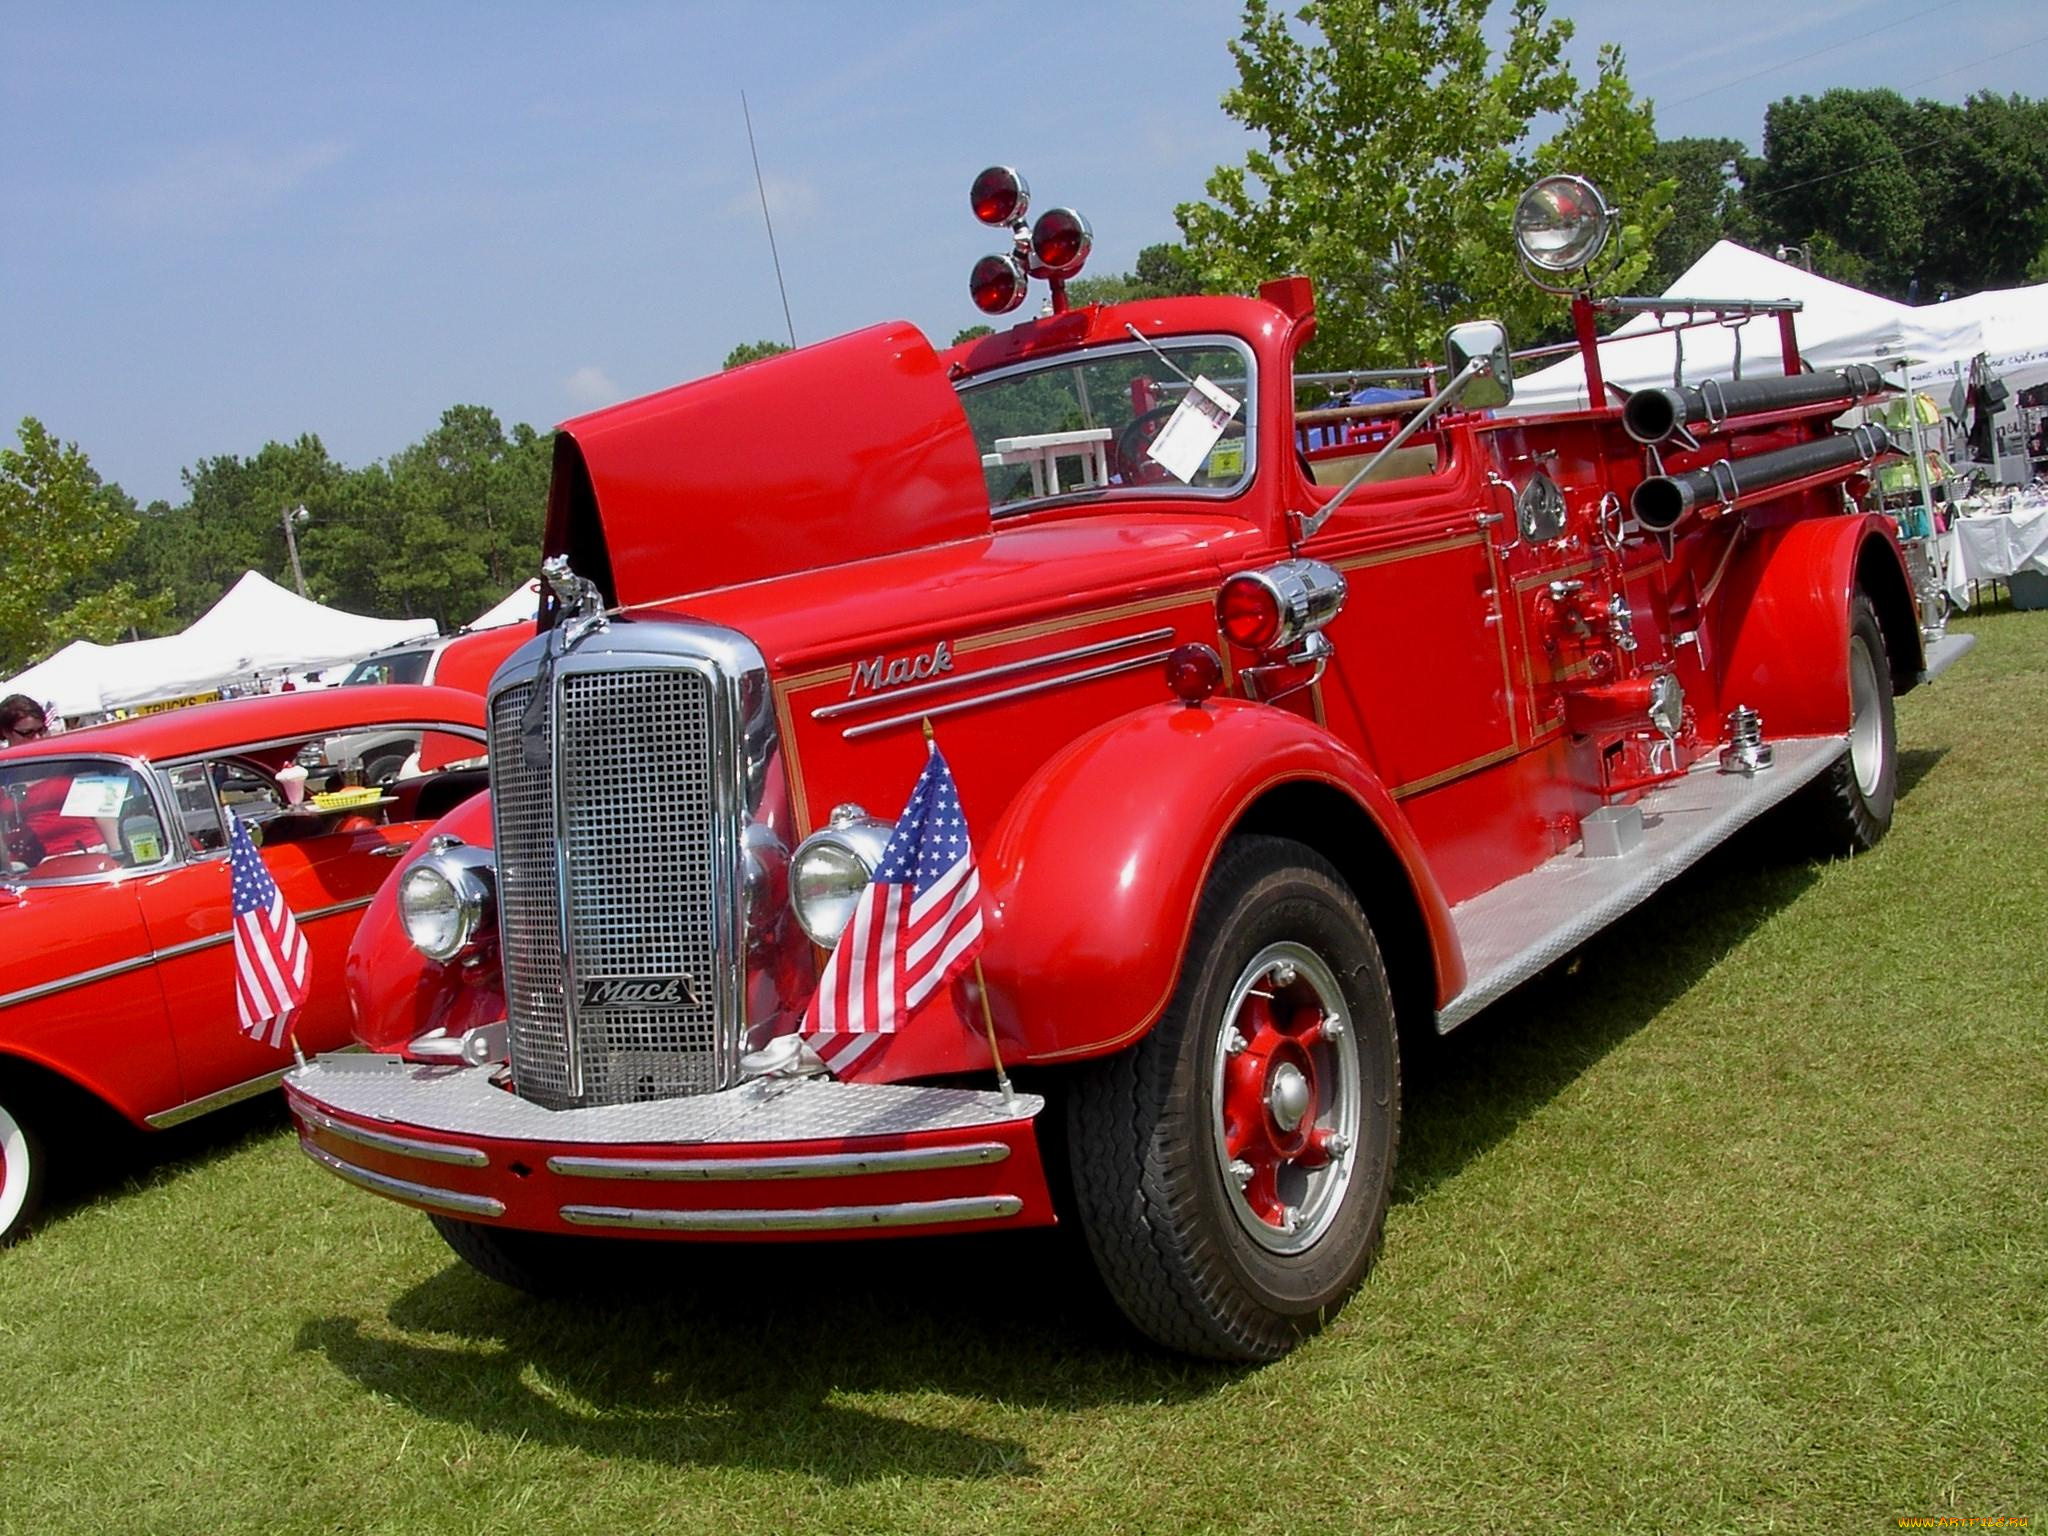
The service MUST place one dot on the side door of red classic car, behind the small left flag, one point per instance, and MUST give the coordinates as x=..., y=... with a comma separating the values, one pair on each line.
x=327, y=867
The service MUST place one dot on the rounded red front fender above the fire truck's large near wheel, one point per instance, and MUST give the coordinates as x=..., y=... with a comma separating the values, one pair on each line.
x=1097, y=865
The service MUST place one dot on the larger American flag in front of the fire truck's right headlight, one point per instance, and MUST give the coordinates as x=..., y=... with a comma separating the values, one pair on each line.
x=914, y=929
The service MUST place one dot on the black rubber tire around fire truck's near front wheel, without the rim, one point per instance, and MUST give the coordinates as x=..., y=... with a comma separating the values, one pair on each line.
x=1142, y=1134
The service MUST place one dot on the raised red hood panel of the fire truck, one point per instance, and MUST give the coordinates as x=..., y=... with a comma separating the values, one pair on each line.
x=833, y=454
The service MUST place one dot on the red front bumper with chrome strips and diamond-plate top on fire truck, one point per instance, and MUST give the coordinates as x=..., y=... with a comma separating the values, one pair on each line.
x=769, y=1160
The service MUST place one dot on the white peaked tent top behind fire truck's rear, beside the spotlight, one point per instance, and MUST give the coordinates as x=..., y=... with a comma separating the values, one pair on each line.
x=1836, y=325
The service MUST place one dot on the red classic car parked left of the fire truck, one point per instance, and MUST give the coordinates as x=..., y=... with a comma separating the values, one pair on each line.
x=116, y=908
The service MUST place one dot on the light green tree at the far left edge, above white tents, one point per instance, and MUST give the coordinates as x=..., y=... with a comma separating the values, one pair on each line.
x=60, y=527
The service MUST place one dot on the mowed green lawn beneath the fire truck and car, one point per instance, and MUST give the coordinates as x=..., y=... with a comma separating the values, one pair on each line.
x=1736, y=1222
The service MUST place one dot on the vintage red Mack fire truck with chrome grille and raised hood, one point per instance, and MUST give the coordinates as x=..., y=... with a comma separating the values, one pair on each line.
x=1281, y=726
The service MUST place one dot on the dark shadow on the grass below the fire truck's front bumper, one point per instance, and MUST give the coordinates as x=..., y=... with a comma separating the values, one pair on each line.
x=746, y=1357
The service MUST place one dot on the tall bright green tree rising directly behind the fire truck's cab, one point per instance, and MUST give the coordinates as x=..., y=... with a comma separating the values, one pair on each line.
x=1396, y=151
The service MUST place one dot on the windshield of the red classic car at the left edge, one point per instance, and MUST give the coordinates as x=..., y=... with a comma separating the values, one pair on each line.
x=62, y=818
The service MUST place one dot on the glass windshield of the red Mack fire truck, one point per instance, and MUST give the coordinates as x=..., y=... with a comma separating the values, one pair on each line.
x=1089, y=423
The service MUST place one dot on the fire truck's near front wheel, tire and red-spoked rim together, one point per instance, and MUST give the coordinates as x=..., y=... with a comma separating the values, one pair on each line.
x=1232, y=1170
